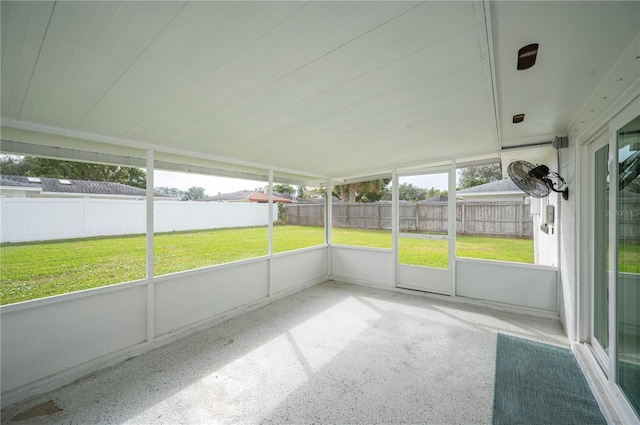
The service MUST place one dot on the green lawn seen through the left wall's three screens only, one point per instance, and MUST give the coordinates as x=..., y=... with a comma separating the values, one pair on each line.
x=34, y=270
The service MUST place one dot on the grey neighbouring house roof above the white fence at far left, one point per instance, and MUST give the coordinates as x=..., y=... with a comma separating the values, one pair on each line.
x=60, y=186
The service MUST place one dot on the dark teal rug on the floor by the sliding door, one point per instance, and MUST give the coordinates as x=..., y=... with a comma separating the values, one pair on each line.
x=538, y=383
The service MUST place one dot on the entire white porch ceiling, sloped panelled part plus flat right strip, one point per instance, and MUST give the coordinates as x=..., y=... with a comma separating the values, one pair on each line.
x=337, y=89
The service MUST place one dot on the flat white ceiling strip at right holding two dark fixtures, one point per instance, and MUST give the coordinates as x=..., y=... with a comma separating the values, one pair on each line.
x=579, y=43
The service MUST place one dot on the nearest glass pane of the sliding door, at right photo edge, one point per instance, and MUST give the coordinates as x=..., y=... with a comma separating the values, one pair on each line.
x=628, y=262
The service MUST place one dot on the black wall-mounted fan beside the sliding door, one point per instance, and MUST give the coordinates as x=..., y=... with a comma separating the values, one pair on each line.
x=535, y=180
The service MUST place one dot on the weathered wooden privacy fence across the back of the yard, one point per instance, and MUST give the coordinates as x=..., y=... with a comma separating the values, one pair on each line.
x=506, y=218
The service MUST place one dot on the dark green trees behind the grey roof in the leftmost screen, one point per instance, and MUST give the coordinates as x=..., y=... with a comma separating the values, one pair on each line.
x=54, y=168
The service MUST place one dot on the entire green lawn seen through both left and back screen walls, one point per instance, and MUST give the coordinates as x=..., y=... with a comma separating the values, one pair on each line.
x=40, y=269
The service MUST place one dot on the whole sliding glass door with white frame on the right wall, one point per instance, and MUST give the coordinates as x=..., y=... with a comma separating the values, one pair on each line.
x=614, y=167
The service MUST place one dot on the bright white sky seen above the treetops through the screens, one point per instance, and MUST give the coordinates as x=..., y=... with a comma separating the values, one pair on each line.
x=216, y=185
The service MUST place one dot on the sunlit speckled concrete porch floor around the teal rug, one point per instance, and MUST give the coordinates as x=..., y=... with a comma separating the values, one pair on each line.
x=335, y=353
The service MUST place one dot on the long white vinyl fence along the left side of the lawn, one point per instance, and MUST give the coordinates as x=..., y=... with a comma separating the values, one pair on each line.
x=40, y=219
